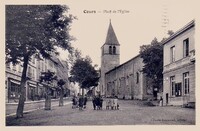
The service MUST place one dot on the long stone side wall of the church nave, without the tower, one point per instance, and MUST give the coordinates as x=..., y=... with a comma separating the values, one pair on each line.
x=127, y=81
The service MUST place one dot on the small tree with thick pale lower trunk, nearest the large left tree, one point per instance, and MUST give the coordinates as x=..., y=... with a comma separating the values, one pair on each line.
x=48, y=78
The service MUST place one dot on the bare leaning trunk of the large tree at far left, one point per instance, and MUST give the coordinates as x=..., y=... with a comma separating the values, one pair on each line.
x=20, y=108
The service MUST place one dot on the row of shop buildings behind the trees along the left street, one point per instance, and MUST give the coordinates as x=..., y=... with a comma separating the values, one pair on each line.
x=35, y=90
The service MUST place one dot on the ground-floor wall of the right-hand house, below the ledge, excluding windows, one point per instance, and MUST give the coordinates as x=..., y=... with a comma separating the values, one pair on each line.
x=178, y=73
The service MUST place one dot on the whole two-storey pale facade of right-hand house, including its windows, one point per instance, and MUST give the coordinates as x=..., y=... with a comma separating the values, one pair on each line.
x=179, y=67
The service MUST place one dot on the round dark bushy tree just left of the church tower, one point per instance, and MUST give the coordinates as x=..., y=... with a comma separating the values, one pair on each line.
x=84, y=73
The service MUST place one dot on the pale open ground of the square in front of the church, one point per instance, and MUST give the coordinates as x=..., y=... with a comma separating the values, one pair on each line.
x=131, y=112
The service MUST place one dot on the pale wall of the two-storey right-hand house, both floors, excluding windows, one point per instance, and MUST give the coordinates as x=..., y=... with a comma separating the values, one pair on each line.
x=178, y=67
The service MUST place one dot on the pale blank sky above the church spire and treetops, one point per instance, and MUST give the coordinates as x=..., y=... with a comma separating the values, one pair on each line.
x=139, y=25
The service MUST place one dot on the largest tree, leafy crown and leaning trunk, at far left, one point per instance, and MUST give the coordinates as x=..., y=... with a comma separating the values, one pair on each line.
x=35, y=30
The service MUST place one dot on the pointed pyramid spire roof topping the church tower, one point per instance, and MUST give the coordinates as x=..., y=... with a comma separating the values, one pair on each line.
x=111, y=38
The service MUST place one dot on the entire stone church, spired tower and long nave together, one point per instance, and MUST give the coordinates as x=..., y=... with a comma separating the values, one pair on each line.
x=126, y=81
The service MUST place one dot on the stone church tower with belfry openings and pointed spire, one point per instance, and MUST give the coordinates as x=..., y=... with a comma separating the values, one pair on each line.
x=110, y=52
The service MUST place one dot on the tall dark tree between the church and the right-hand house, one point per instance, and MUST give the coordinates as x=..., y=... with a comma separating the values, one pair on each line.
x=152, y=55
